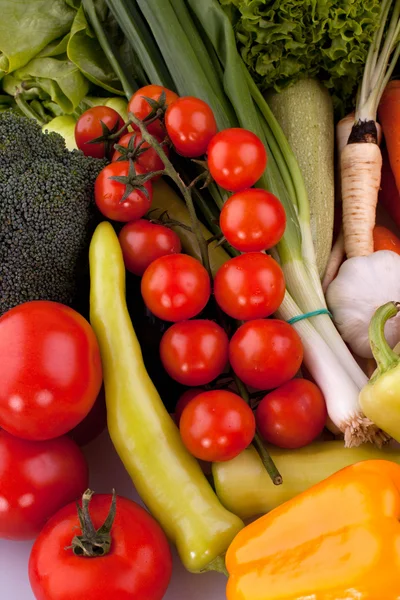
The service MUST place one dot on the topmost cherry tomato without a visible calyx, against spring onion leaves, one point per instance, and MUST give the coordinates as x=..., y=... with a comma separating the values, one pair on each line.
x=190, y=124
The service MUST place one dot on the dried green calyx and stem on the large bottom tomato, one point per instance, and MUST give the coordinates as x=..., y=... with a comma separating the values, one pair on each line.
x=93, y=543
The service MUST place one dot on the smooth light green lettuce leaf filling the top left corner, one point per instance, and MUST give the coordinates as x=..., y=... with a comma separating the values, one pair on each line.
x=28, y=27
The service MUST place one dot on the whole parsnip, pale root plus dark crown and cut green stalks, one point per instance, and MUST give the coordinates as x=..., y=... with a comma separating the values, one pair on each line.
x=361, y=159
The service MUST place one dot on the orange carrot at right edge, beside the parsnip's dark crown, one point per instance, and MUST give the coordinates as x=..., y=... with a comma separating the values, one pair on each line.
x=389, y=116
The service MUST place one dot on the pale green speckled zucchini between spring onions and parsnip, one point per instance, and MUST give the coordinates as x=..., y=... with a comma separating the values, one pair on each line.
x=305, y=113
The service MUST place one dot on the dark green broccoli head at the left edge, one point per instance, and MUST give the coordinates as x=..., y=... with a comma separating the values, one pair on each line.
x=47, y=213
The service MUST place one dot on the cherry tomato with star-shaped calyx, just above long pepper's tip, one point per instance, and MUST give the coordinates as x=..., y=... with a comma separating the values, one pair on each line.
x=108, y=194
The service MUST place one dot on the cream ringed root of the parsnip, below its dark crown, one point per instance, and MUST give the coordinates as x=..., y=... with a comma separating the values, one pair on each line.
x=361, y=165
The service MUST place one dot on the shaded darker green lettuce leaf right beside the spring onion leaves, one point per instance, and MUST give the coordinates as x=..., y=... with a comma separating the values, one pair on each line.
x=85, y=52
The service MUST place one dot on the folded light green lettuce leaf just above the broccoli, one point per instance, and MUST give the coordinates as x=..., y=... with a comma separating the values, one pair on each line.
x=49, y=78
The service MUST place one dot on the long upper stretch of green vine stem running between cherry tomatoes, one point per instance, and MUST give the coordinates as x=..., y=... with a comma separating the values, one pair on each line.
x=185, y=191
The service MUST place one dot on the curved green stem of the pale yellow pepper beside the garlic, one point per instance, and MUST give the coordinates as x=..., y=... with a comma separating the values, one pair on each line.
x=385, y=357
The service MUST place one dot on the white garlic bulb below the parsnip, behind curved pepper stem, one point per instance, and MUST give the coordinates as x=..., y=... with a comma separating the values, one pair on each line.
x=363, y=284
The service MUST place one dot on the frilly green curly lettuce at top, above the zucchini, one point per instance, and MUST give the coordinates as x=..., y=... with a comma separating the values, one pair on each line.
x=282, y=41
